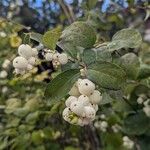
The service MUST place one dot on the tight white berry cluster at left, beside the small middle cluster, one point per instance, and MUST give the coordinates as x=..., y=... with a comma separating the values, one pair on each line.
x=26, y=59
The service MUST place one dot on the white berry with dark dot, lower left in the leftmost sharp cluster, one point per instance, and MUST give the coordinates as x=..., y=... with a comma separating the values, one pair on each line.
x=20, y=62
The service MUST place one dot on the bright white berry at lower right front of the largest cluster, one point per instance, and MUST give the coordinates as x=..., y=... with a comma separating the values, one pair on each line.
x=89, y=112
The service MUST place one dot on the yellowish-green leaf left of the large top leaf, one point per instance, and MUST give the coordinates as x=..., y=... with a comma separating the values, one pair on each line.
x=51, y=37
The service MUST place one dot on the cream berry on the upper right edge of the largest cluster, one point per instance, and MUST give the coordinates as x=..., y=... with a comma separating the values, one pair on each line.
x=95, y=97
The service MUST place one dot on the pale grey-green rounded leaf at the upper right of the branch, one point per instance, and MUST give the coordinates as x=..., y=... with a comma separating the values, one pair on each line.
x=126, y=38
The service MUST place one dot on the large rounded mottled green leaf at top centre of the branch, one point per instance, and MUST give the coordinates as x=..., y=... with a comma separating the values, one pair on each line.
x=78, y=34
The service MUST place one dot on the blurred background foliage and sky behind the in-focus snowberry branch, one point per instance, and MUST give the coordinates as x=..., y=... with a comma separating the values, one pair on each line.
x=26, y=120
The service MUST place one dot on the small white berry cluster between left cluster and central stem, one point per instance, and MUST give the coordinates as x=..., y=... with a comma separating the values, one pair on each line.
x=56, y=58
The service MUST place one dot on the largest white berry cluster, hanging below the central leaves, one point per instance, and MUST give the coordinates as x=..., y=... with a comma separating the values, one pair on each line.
x=82, y=104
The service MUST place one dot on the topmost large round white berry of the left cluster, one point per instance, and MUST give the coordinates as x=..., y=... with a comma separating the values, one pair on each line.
x=25, y=50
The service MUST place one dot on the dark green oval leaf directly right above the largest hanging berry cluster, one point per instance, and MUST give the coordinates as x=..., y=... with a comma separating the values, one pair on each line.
x=106, y=75
